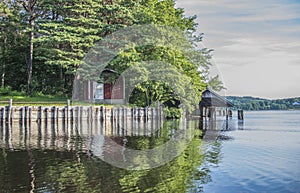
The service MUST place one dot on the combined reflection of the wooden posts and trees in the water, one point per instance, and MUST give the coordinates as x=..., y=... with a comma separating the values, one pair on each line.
x=59, y=157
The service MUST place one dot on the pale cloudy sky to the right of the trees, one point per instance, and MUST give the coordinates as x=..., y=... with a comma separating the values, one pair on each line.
x=256, y=44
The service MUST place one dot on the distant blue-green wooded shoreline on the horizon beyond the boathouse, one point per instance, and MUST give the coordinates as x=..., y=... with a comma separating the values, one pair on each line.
x=251, y=103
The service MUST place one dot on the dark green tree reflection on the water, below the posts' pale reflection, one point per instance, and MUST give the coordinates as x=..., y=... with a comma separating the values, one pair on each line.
x=75, y=170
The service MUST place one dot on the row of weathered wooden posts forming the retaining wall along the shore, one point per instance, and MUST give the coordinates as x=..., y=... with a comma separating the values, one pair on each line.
x=31, y=113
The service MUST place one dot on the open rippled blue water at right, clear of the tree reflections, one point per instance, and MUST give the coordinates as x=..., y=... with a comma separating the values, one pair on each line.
x=262, y=156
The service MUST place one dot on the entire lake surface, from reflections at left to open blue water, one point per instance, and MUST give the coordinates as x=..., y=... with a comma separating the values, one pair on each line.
x=262, y=154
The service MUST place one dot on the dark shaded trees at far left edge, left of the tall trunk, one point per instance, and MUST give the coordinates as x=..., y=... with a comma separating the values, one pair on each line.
x=13, y=45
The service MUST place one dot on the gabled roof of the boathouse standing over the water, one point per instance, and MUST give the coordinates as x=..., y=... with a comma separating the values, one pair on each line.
x=212, y=99
